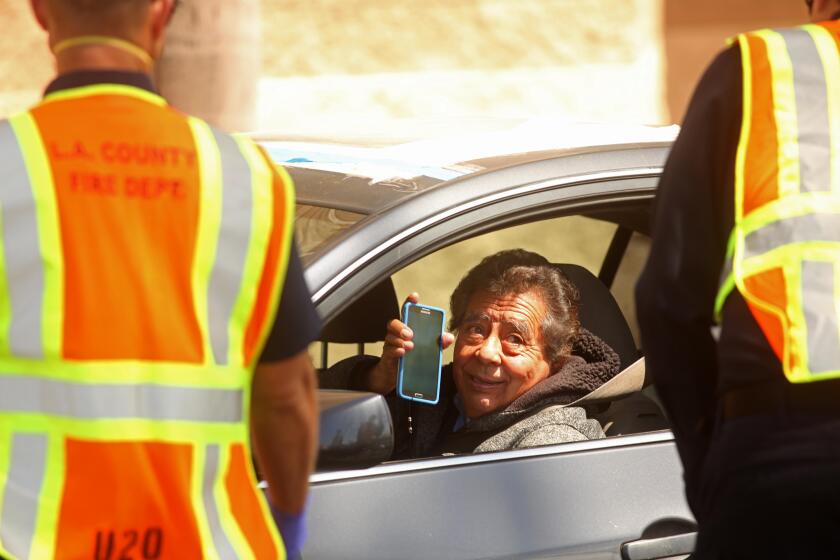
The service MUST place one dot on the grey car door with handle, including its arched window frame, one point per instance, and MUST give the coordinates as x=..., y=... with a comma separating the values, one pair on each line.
x=573, y=500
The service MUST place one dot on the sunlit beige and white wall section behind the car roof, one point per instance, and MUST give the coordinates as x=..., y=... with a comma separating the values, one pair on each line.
x=357, y=63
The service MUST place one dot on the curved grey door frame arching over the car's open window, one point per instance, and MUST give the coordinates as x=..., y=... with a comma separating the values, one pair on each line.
x=387, y=241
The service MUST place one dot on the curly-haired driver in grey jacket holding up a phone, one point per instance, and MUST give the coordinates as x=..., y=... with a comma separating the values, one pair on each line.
x=520, y=354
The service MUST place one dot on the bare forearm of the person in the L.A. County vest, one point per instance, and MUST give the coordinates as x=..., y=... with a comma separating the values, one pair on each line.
x=284, y=420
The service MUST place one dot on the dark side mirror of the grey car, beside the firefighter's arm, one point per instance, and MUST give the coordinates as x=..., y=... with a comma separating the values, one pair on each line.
x=356, y=430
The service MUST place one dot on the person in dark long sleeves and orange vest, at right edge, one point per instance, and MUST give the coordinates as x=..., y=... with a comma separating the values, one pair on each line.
x=747, y=236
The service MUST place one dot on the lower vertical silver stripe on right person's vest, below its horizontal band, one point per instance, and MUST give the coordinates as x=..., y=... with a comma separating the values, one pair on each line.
x=820, y=316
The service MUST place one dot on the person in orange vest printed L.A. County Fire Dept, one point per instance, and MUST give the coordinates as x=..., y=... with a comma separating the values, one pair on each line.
x=153, y=316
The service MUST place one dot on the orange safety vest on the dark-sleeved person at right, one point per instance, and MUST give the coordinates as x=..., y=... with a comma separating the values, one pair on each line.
x=784, y=251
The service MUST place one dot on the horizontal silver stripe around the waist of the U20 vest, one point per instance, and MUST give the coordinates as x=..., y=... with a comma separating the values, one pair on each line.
x=102, y=401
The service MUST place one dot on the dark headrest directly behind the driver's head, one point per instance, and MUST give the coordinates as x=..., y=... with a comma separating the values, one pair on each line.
x=599, y=313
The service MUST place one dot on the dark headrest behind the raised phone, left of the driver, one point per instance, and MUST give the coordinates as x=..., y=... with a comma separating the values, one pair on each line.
x=366, y=318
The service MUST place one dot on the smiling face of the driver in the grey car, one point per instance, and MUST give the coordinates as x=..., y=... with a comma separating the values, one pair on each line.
x=498, y=352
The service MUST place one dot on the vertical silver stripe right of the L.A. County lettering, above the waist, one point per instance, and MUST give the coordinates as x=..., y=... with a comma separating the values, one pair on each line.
x=233, y=241
